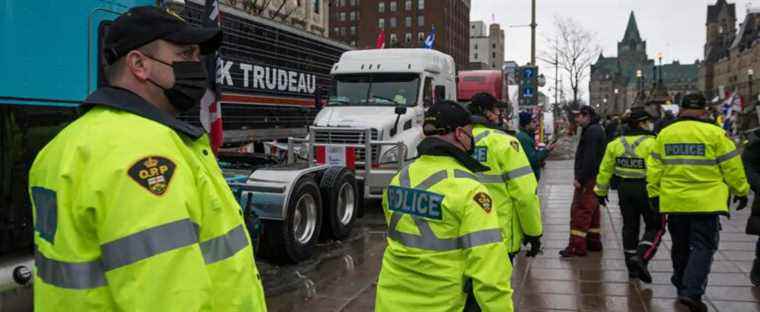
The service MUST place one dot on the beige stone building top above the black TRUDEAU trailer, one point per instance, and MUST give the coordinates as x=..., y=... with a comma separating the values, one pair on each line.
x=309, y=15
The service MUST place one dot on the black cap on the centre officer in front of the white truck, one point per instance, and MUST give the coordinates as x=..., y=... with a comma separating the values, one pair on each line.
x=444, y=117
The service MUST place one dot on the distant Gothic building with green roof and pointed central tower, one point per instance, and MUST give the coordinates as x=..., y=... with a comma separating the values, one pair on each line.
x=617, y=82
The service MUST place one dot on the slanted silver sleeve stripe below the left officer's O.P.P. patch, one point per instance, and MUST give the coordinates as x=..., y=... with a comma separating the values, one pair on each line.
x=148, y=243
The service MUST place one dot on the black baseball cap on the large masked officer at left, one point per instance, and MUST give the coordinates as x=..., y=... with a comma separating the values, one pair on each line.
x=145, y=24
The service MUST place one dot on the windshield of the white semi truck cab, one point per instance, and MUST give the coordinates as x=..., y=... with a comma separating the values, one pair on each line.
x=376, y=90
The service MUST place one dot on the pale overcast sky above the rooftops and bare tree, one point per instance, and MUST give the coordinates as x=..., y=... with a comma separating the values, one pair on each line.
x=674, y=27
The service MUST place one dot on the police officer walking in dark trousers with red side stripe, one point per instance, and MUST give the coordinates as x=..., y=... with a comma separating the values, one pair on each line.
x=625, y=158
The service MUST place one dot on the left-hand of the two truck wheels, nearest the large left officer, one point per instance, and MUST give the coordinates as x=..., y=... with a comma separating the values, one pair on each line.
x=293, y=240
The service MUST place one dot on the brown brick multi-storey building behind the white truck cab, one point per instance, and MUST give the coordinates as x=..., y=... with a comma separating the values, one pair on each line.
x=406, y=24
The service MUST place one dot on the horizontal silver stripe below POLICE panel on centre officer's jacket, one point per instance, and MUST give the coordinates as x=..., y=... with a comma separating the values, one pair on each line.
x=430, y=242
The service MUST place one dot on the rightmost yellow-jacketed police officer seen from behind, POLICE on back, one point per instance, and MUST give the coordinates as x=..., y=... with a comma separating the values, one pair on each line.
x=691, y=172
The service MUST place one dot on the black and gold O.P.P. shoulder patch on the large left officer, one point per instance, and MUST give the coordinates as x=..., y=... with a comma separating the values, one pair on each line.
x=154, y=173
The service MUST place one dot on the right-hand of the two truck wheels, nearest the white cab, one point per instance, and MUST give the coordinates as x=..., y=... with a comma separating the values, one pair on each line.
x=341, y=201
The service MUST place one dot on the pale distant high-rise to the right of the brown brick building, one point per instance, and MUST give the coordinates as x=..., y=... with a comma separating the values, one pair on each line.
x=486, y=47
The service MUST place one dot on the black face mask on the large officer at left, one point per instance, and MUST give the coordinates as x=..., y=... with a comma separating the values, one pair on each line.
x=190, y=84
